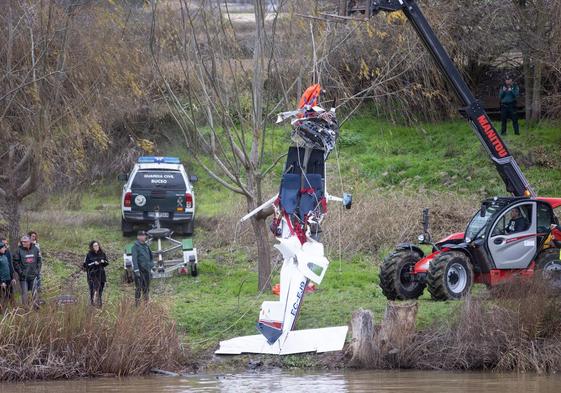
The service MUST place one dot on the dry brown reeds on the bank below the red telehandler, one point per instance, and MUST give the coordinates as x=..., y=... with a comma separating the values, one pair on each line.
x=520, y=330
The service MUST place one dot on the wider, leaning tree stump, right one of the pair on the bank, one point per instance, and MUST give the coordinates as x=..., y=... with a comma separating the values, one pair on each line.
x=398, y=327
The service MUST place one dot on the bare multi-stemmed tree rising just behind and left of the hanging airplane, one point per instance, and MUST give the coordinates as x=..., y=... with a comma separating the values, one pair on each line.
x=222, y=108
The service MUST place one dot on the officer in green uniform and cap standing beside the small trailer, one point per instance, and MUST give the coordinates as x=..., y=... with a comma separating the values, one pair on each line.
x=142, y=263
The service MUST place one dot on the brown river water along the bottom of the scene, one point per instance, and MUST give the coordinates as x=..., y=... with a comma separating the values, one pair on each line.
x=287, y=382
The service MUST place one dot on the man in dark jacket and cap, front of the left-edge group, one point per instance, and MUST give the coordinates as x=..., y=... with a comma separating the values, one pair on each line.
x=27, y=263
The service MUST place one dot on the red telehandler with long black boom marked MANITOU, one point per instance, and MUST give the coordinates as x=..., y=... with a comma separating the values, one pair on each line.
x=508, y=237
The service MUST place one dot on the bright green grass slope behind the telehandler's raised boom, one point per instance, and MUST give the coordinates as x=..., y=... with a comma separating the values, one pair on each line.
x=444, y=156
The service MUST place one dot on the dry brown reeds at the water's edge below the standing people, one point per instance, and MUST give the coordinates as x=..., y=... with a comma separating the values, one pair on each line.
x=77, y=341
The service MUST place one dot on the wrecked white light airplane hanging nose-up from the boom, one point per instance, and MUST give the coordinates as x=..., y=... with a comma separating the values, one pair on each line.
x=299, y=209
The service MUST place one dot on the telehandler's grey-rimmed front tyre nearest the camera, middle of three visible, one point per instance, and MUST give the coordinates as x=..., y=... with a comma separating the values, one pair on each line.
x=450, y=276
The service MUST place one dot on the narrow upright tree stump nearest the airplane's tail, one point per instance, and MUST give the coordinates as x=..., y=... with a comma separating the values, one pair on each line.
x=362, y=345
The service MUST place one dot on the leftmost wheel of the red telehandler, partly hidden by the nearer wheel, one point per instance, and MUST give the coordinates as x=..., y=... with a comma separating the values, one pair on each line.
x=395, y=277
